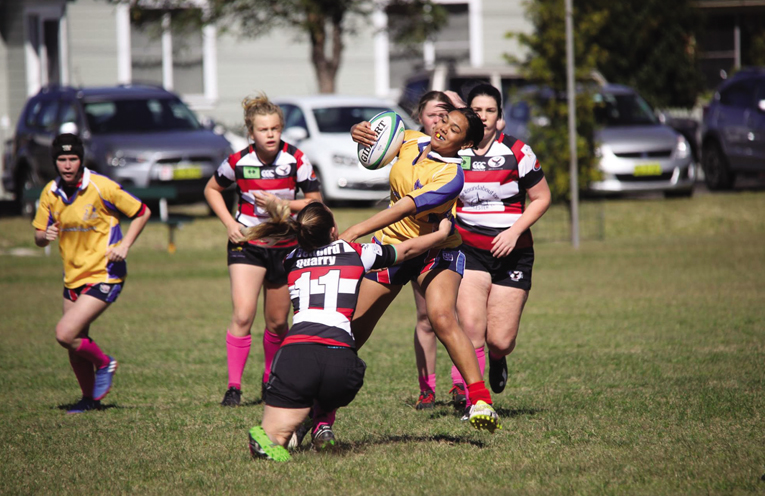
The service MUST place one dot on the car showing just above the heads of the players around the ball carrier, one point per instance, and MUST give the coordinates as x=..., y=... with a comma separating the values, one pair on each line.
x=460, y=79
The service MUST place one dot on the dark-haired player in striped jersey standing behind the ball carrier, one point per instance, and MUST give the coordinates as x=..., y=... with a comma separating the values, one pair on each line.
x=494, y=220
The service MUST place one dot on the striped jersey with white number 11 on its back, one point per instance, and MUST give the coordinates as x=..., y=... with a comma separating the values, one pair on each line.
x=324, y=285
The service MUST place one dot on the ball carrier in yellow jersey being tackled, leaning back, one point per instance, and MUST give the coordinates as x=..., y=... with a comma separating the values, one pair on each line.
x=425, y=184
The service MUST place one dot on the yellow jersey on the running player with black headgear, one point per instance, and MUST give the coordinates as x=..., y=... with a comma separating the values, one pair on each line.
x=88, y=226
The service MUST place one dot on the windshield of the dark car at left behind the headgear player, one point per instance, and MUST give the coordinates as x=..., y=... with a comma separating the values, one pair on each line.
x=139, y=116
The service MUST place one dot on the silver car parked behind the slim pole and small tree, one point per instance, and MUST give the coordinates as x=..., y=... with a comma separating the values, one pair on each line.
x=637, y=152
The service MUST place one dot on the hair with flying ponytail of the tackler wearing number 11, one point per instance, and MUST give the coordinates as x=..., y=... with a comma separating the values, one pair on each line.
x=312, y=228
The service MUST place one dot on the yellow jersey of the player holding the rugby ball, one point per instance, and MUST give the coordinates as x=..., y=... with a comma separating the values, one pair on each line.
x=434, y=184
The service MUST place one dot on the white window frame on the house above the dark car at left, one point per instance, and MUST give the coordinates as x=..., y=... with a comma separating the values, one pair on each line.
x=197, y=101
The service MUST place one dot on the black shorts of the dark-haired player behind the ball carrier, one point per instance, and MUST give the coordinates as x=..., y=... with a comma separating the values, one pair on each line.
x=513, y=270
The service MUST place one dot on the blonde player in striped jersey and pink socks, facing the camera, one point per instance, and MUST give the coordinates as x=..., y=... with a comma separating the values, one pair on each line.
x=269, y=168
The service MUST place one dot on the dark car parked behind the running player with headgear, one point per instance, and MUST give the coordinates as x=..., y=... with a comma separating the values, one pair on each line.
x=139, y=135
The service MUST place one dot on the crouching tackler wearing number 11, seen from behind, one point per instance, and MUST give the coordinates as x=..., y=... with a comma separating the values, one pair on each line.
x=317, y=365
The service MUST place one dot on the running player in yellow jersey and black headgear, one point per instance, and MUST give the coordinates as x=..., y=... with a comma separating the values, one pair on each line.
x=81, y=209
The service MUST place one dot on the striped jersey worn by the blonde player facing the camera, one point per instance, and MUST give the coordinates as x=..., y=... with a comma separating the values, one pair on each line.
x=289, y=171
